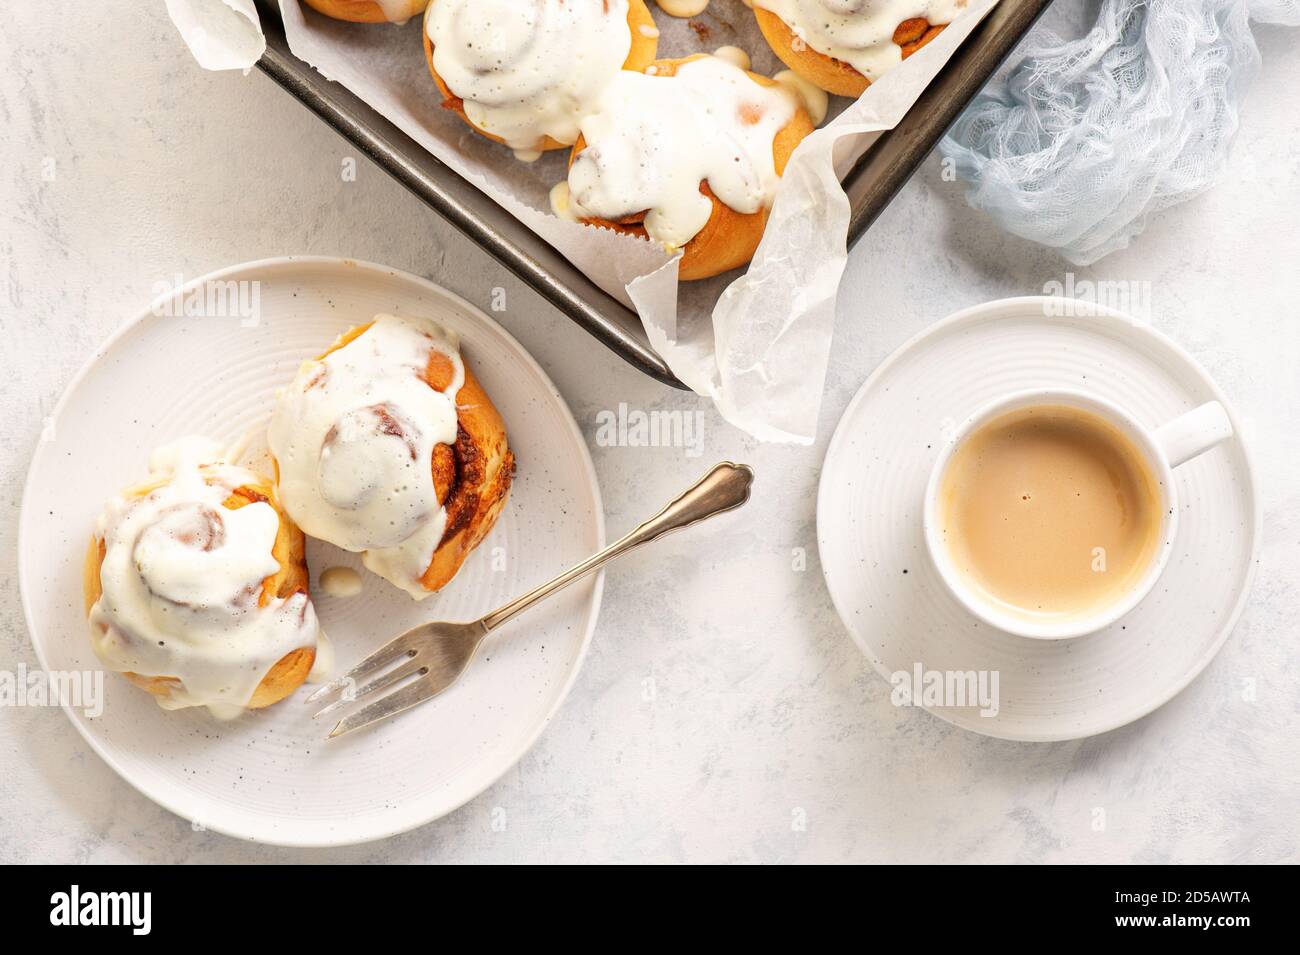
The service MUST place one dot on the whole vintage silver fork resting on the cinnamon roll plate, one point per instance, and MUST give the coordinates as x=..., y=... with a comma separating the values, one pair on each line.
x=435, y=656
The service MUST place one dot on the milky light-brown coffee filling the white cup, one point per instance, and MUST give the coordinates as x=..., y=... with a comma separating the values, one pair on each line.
x=1051, y=511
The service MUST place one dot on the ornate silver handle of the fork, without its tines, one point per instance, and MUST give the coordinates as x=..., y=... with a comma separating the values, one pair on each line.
x=725, y=488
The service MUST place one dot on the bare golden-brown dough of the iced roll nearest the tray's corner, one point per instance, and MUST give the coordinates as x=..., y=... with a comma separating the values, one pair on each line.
x=729, y=238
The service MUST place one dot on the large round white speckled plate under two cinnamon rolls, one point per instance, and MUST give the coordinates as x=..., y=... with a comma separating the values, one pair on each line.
x=270, y=776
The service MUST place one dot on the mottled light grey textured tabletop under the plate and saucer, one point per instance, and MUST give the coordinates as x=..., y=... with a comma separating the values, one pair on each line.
x=723, y=714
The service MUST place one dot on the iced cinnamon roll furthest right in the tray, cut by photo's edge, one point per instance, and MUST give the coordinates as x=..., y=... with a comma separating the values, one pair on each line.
x=842, y=46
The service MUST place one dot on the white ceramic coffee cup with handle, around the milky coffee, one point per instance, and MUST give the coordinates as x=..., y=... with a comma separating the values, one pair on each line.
x=1164, y=449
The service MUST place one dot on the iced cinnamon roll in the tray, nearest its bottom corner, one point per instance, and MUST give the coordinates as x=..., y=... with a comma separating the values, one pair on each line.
x=688, y=154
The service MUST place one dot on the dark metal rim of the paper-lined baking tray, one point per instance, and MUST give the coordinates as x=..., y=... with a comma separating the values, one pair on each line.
x=870, y=185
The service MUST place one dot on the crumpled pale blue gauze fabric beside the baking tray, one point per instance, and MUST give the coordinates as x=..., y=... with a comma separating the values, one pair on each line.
x=1082, y=140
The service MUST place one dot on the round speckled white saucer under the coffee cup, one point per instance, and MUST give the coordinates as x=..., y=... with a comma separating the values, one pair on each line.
x=870, y=519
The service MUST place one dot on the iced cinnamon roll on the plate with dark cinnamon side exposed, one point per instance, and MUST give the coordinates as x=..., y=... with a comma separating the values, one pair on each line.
x=387, y=445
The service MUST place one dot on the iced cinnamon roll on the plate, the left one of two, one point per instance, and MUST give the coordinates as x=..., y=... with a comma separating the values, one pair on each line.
x=197, y=587
